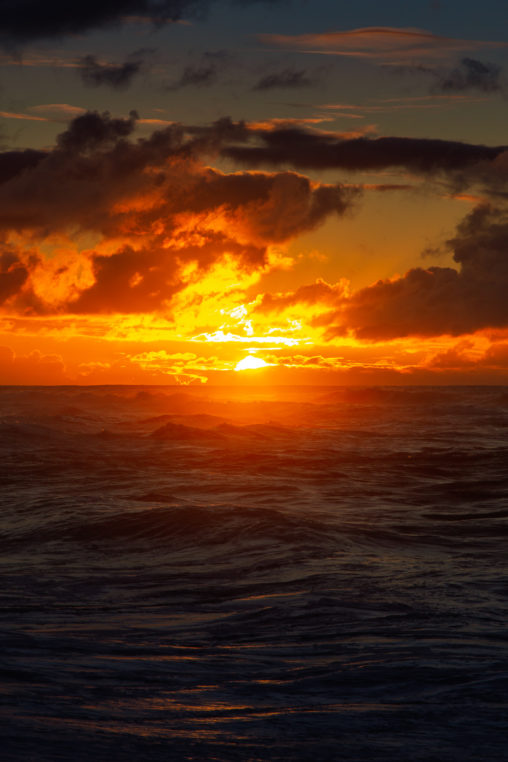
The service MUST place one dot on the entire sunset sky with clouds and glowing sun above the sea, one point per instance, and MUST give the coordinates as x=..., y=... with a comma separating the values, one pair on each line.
x=264, y=192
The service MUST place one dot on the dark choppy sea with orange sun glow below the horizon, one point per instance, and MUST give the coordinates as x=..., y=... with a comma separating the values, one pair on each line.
x=321, y=576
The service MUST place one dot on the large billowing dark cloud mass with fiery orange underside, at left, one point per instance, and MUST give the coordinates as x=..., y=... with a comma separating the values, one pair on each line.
x=154, y=205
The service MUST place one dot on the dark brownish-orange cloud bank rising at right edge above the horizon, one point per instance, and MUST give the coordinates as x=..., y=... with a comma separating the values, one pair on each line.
x=441, y=300
